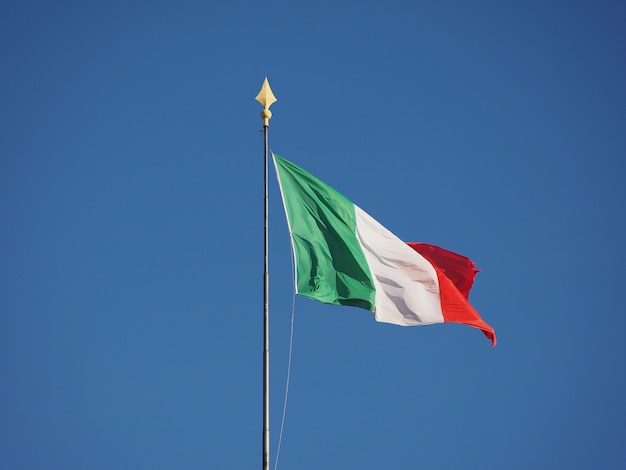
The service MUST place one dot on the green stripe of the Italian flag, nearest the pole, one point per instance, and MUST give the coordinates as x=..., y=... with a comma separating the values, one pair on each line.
x=330, y=264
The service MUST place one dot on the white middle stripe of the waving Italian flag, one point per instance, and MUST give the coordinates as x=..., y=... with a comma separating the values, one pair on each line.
x=407, y=289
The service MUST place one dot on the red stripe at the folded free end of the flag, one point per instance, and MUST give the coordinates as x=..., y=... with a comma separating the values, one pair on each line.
x=456, y=276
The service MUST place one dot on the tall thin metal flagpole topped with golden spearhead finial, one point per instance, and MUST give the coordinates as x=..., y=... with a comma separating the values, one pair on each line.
x=266, y=98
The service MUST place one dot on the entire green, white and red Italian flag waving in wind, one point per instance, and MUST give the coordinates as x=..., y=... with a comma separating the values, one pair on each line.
x=345, y=257
